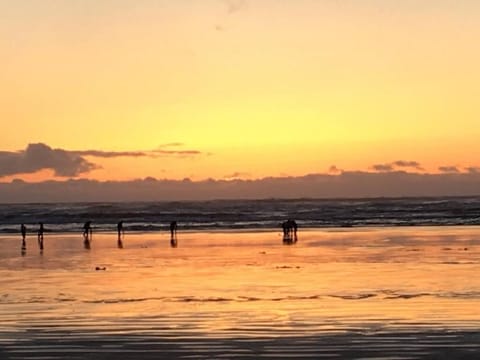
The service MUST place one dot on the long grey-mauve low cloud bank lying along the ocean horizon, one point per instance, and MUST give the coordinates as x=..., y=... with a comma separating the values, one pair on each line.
x=354, y=184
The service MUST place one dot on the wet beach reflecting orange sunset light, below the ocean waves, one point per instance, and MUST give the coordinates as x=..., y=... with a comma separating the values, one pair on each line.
x=369, y=292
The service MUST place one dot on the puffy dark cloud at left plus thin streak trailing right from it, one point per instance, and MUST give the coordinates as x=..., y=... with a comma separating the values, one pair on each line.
x=71, y=163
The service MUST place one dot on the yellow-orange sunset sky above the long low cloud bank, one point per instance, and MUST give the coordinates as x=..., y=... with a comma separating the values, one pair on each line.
x=118, y=90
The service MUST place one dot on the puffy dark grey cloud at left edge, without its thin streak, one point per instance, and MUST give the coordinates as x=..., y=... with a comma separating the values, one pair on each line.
x=40, y=156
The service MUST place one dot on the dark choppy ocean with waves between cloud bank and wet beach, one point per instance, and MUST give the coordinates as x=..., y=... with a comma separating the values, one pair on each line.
x=243, y=214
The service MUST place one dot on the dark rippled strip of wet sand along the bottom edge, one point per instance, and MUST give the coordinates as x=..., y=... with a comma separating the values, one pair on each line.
x=351, y=345
